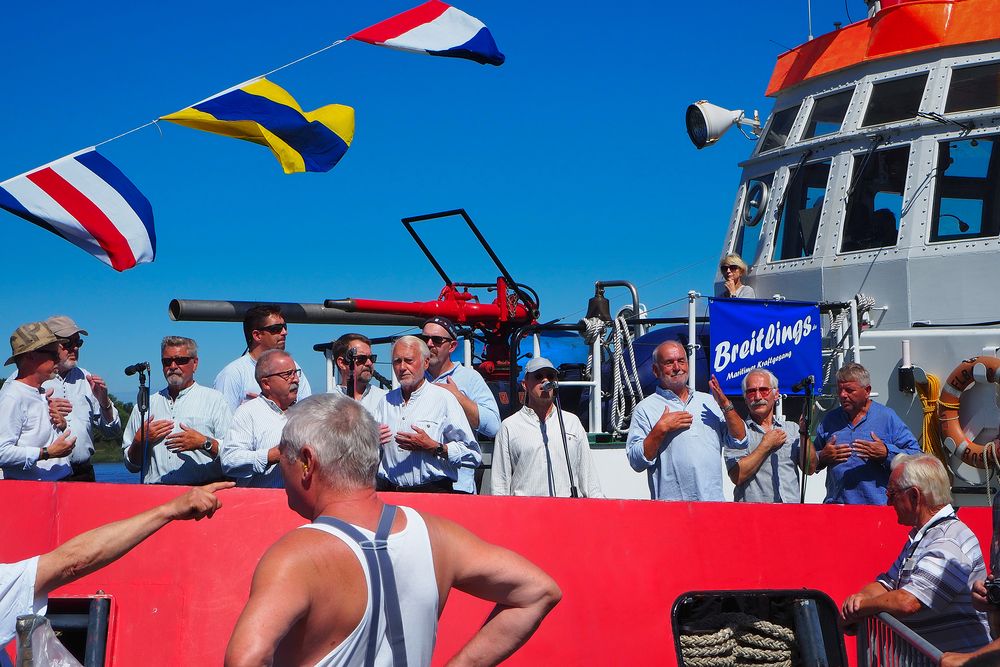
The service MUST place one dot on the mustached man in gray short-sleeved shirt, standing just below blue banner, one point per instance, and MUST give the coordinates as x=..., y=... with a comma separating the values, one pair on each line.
x=767, y=471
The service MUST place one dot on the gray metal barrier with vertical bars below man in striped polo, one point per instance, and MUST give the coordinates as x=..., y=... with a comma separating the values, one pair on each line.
x=883, y=641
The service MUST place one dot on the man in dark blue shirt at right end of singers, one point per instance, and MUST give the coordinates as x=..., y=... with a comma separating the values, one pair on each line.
x=858, y=441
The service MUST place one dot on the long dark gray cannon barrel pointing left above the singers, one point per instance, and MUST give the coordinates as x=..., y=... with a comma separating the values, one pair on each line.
x=203, y=310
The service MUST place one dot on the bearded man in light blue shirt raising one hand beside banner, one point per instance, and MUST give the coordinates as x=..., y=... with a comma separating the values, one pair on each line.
x=677, y=434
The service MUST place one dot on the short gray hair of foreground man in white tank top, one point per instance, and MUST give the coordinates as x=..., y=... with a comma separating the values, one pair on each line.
x=343, y=435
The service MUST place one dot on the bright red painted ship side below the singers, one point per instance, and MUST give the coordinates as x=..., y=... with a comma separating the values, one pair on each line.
x=621, y=564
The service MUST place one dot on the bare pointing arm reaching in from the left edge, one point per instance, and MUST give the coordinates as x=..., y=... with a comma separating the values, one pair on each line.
x=98, y=547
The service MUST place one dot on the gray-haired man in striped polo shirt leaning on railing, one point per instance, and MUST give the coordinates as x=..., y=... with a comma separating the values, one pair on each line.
x=929, y=586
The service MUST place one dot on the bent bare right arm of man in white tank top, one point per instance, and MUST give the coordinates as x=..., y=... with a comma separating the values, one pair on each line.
x=523, y=593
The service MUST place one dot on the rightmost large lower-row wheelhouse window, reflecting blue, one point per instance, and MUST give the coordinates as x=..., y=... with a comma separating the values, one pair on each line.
x=965, y=196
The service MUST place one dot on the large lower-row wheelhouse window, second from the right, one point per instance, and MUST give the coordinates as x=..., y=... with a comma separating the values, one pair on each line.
x=875, y=202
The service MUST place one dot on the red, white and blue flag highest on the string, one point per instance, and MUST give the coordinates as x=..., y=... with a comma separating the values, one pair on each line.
x=436, y=29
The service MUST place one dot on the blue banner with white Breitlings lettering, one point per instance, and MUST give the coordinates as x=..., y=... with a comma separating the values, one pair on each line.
x=782, y=336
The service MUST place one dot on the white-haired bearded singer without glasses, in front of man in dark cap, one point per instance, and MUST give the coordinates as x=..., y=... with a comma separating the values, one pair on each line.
x=431, y=436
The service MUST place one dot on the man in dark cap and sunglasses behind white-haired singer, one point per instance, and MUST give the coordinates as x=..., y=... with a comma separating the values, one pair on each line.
x=464, y=383
